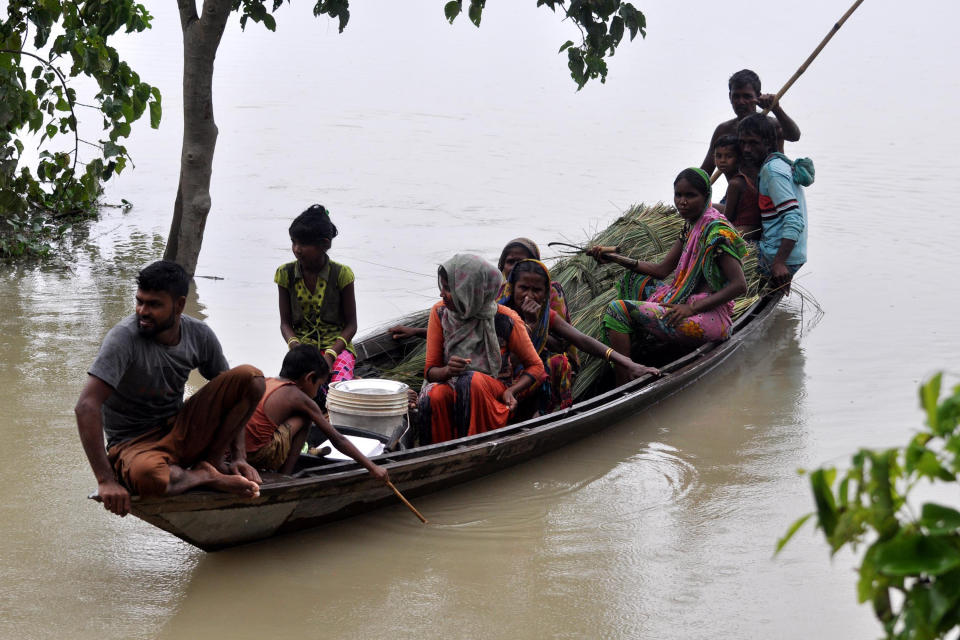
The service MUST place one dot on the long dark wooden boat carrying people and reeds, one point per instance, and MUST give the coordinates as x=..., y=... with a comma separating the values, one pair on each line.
x=320, y=493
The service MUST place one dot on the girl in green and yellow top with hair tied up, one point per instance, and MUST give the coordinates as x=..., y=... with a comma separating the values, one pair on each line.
x=317, y=300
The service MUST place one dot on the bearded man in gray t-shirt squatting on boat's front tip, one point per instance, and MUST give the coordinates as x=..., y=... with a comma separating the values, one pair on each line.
x=157, y=444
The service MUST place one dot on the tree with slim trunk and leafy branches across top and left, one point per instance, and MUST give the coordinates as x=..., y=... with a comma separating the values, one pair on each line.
x=123, y=97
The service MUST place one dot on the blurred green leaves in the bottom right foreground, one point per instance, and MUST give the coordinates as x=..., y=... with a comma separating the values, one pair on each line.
x=910, y=571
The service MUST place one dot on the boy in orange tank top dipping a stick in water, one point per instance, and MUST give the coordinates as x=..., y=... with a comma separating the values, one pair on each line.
x=278, y=427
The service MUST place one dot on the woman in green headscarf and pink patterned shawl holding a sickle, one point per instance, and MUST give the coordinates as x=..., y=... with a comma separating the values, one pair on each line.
x=694, y=306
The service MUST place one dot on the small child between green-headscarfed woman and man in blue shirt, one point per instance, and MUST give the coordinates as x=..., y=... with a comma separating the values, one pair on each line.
x=741, y=204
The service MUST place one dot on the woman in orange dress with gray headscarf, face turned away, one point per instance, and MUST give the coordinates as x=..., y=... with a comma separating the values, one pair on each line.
x=471, y=342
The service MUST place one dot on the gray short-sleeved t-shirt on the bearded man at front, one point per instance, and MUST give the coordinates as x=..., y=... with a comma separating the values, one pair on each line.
x=148, y=378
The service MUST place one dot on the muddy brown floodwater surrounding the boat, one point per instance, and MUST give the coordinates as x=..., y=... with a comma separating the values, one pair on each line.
x=425, y=139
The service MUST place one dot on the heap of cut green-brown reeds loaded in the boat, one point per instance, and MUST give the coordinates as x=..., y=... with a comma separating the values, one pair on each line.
x=643, y=232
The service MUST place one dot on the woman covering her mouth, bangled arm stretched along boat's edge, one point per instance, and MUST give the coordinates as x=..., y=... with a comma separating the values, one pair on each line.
x=526, y=293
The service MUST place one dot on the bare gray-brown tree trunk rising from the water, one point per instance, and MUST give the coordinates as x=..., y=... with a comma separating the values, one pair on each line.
x=201, y=37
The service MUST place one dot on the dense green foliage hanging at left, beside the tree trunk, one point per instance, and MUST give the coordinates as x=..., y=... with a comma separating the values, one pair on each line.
x=42, y=44
